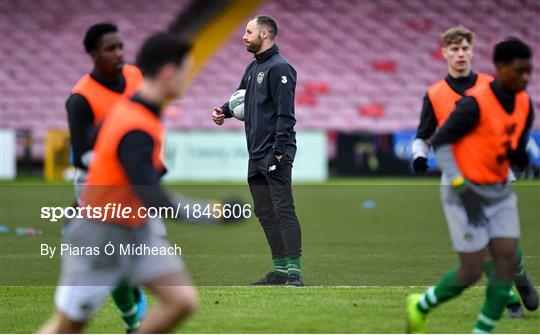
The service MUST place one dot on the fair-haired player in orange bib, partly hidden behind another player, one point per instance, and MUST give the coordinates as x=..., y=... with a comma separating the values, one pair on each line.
x=440, y=100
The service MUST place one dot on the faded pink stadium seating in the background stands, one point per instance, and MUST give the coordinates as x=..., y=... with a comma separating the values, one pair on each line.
x=385, y=55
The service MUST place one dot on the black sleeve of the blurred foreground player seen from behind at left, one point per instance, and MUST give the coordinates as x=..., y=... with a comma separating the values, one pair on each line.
x=135, y=155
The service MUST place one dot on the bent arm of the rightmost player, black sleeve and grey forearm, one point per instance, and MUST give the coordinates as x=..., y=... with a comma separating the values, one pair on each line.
x=460, y=122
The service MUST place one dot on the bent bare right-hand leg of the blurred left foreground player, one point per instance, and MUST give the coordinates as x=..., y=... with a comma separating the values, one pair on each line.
x=177, y=299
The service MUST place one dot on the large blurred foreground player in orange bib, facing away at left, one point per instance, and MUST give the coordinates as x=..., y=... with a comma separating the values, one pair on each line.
x=125, y=169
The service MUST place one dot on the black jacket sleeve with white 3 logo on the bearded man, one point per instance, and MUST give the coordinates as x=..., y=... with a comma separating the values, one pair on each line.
x=282, y=87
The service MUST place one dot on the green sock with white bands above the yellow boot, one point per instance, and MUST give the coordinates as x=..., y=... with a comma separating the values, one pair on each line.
x=448, y=287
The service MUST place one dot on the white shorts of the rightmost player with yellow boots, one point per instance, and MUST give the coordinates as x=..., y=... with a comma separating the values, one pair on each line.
x=502, y=221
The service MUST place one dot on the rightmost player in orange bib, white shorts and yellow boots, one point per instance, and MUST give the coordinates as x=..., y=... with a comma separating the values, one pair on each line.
x=485, y=134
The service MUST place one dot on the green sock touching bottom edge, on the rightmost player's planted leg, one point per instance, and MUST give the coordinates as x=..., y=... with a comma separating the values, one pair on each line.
x=497, y=294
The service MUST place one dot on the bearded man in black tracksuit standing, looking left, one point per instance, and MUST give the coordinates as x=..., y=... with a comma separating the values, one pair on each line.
x=270, y=83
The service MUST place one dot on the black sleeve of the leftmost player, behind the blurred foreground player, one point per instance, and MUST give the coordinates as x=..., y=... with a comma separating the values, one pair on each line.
x=81, y=125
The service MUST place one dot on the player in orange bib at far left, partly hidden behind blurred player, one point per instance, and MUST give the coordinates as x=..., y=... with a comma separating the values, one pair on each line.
x=91, y=99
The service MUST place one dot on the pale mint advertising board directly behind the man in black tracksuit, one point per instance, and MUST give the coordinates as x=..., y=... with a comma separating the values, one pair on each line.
x=222, y=155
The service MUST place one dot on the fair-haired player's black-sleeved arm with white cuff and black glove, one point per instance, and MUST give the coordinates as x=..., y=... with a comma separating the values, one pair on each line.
x=426, y=129
